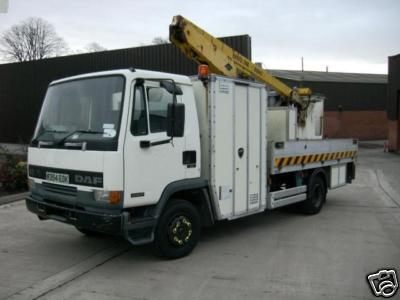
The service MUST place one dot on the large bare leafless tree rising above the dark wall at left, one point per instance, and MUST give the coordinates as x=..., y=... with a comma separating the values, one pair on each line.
x=31, y=39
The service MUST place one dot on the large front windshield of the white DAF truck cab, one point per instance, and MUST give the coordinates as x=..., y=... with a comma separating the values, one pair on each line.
x=89, y=107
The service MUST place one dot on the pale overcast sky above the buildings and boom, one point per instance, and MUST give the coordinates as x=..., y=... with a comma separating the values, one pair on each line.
x=345, y=35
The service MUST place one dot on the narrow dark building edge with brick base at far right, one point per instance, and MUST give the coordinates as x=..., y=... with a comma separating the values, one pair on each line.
x=393, y=103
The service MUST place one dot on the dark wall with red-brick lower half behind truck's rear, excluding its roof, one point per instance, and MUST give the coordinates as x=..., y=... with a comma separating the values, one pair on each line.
x=363, y=108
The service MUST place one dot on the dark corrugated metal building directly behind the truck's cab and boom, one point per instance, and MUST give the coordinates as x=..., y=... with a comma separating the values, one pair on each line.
x=23, y=85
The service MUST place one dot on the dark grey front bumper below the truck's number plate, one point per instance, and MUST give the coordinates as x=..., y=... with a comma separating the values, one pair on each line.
x=137, y=231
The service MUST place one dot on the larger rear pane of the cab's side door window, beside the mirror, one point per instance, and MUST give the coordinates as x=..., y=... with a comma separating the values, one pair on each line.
x=158, y=99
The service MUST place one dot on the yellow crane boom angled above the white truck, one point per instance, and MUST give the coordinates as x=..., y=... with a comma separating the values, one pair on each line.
x=203, y=48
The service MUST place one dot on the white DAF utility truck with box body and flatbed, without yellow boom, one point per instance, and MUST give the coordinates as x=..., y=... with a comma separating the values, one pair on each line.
x=154, y=157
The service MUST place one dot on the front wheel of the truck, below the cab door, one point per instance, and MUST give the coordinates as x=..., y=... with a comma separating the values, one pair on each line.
x=178, y=230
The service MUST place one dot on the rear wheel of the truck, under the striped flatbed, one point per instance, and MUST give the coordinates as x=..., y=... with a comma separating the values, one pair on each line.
x=316, y=196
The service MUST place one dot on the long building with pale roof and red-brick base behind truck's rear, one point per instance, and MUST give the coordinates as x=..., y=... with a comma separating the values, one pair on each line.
x=355, y=103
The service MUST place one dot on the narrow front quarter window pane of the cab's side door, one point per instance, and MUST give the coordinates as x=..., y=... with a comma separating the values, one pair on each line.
x=139, y=115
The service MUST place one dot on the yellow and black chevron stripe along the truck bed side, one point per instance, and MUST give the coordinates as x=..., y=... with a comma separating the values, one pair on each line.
x=307, y=159
